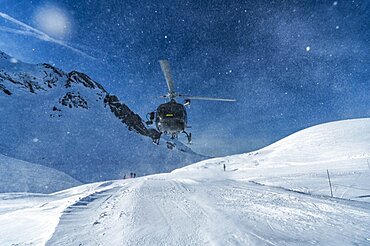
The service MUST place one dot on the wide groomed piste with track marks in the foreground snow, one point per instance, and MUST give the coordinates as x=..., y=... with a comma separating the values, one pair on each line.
x=209, y=213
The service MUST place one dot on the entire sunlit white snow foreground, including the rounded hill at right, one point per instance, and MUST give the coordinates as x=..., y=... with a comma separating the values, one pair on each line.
x=278, y=195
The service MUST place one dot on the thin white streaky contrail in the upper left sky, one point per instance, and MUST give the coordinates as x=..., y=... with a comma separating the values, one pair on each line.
x=28, y=30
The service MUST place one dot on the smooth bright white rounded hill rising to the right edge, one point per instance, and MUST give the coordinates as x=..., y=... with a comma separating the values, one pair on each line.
x=329, y=142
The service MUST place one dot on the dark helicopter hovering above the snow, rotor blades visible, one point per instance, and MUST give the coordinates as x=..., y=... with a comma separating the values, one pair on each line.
x=170, y=118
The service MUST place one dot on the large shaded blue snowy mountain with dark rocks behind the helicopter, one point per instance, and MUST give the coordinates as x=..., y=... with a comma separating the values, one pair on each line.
x=71, y=123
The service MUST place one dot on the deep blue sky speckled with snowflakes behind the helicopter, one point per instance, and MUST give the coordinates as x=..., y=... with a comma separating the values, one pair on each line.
x=290, y=64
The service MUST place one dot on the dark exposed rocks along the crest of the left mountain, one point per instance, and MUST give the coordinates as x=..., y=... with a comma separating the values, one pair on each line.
x=51, y=76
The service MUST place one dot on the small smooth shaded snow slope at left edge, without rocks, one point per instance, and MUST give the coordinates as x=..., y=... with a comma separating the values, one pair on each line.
x=21, y=176
